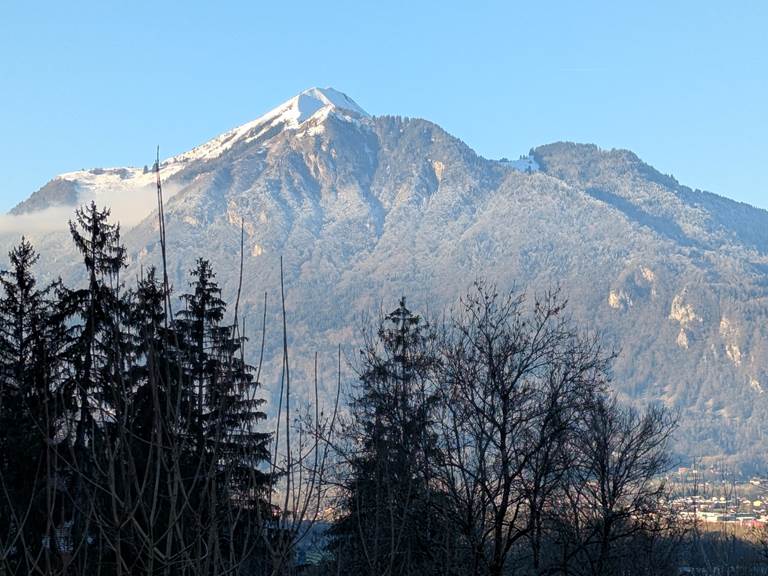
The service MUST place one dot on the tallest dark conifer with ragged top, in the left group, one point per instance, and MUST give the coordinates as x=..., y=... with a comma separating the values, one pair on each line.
x=96, y=348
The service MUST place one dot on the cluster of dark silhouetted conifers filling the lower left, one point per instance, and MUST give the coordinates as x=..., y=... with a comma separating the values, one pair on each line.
x=130, y=441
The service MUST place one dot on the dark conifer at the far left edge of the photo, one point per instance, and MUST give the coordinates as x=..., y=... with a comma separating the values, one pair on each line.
x=29, y=411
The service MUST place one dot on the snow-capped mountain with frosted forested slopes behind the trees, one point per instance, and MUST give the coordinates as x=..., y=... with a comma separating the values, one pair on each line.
x=363, y=209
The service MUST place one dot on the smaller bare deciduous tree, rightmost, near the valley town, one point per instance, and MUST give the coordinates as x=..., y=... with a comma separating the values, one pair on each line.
x=615, y=491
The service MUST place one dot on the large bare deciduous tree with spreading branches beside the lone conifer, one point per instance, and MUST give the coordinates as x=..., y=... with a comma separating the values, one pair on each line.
x=514, y=380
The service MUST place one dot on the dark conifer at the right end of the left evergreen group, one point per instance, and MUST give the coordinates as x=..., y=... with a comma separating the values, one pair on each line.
x=226, y=450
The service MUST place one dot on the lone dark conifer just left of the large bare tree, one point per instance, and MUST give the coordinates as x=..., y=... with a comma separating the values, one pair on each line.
x=389, y=523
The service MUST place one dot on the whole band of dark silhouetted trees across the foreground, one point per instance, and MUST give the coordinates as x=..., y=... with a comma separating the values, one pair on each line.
x=134, y=438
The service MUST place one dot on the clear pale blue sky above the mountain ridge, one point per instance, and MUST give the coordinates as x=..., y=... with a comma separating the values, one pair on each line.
x=684, y=84
